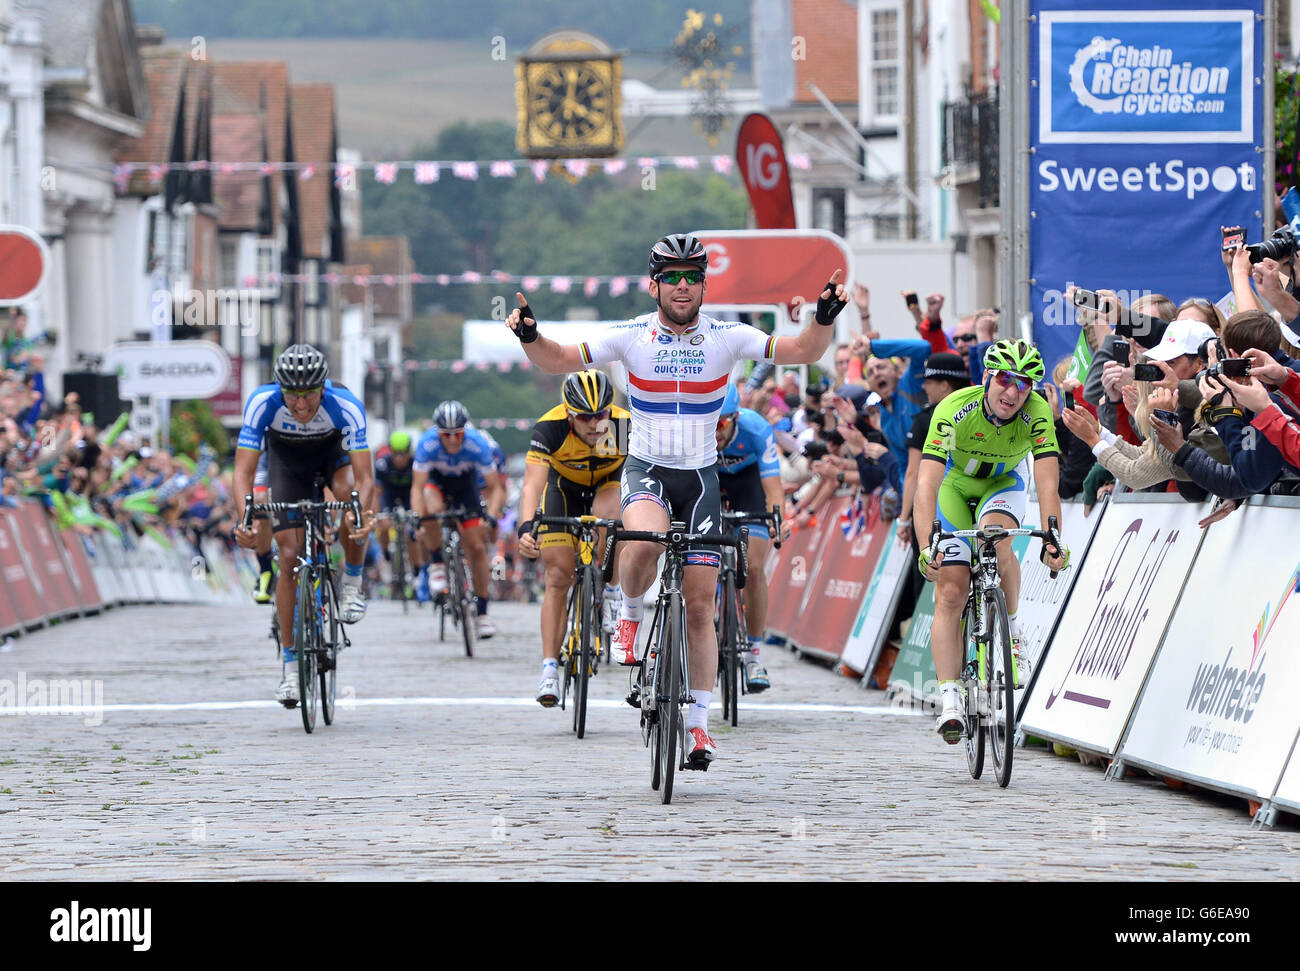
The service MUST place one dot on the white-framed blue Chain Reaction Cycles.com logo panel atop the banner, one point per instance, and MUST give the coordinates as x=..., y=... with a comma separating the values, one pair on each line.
x=1147, y=76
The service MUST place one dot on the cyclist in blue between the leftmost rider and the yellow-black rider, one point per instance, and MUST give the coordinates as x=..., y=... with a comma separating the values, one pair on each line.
x=449, y=462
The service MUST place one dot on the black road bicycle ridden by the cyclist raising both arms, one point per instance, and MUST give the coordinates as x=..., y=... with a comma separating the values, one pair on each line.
x=664, y=678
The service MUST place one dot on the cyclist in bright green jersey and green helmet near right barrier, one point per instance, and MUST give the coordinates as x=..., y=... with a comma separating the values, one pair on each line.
x=974, y=470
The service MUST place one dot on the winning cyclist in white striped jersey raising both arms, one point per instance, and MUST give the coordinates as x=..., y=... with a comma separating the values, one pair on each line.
x=678, y=362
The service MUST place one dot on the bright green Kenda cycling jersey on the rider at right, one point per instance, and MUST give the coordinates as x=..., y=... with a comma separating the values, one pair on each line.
x=968, y=440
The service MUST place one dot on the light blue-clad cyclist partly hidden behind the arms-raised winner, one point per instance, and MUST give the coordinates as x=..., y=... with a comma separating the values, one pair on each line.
x=749, y=479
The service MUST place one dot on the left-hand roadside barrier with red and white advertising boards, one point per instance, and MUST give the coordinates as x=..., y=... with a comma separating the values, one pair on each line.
x=54, y=574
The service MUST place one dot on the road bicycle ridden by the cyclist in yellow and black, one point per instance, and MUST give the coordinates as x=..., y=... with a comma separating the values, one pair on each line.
x=586, y=636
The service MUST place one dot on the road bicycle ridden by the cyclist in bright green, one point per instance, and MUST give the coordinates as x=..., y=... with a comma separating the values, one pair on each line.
x=989, y=673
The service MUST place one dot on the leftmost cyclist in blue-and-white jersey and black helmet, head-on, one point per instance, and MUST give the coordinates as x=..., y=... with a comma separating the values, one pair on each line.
x=309, y=427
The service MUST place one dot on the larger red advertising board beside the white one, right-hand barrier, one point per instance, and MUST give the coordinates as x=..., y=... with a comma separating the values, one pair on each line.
x=837, y=593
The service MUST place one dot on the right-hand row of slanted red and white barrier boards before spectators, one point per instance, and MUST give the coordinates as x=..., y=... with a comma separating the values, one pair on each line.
x=1164, y=647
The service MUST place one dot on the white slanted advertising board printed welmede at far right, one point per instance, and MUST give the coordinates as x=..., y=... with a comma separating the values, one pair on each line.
x=1219, y=708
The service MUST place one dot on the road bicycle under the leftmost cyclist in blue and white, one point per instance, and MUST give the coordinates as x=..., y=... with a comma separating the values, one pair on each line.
x=318, y=627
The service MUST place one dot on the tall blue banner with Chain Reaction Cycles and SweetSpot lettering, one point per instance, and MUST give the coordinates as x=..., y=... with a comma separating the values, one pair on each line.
x=1146, y=129
